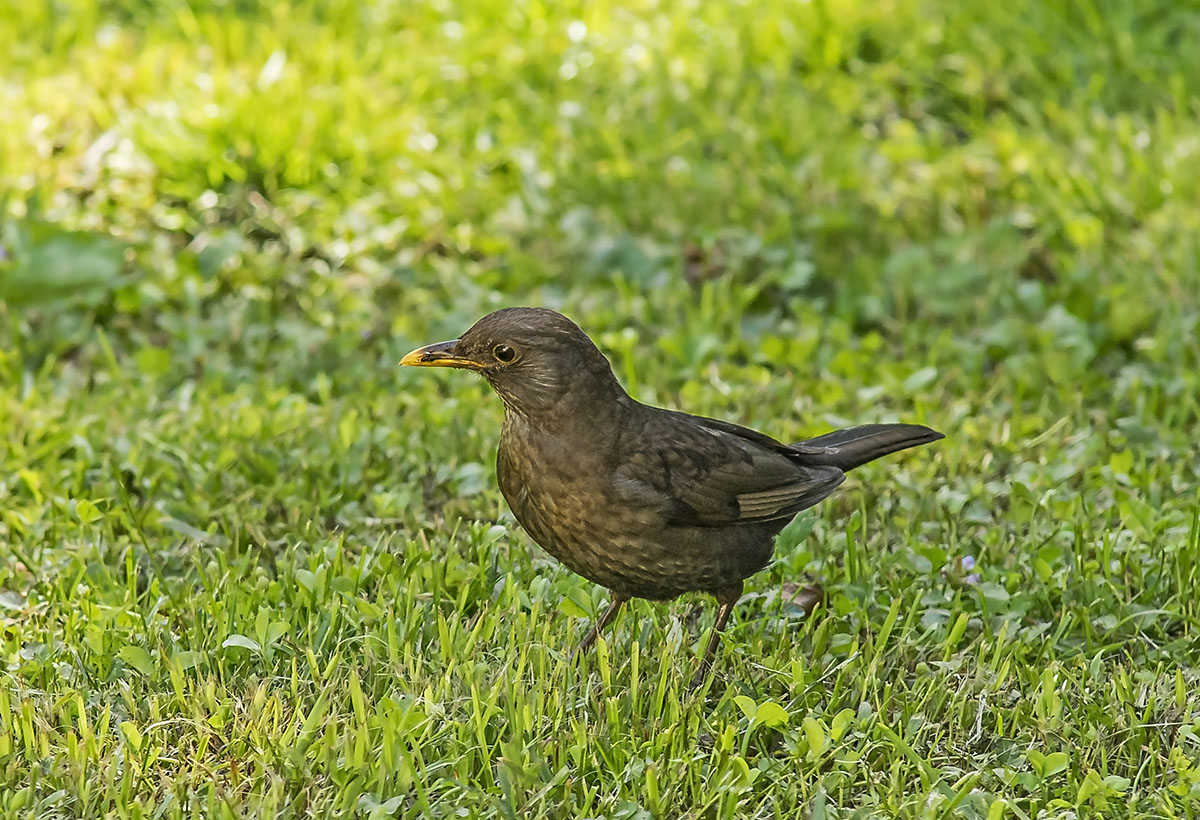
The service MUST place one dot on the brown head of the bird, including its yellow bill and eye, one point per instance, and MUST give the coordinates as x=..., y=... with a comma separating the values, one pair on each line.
x=535, y=358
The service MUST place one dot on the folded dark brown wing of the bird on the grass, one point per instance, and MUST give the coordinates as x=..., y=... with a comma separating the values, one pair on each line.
x=715, y=475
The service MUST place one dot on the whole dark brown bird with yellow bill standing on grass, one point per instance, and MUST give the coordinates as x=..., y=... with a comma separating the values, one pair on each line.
x=649, y=502
